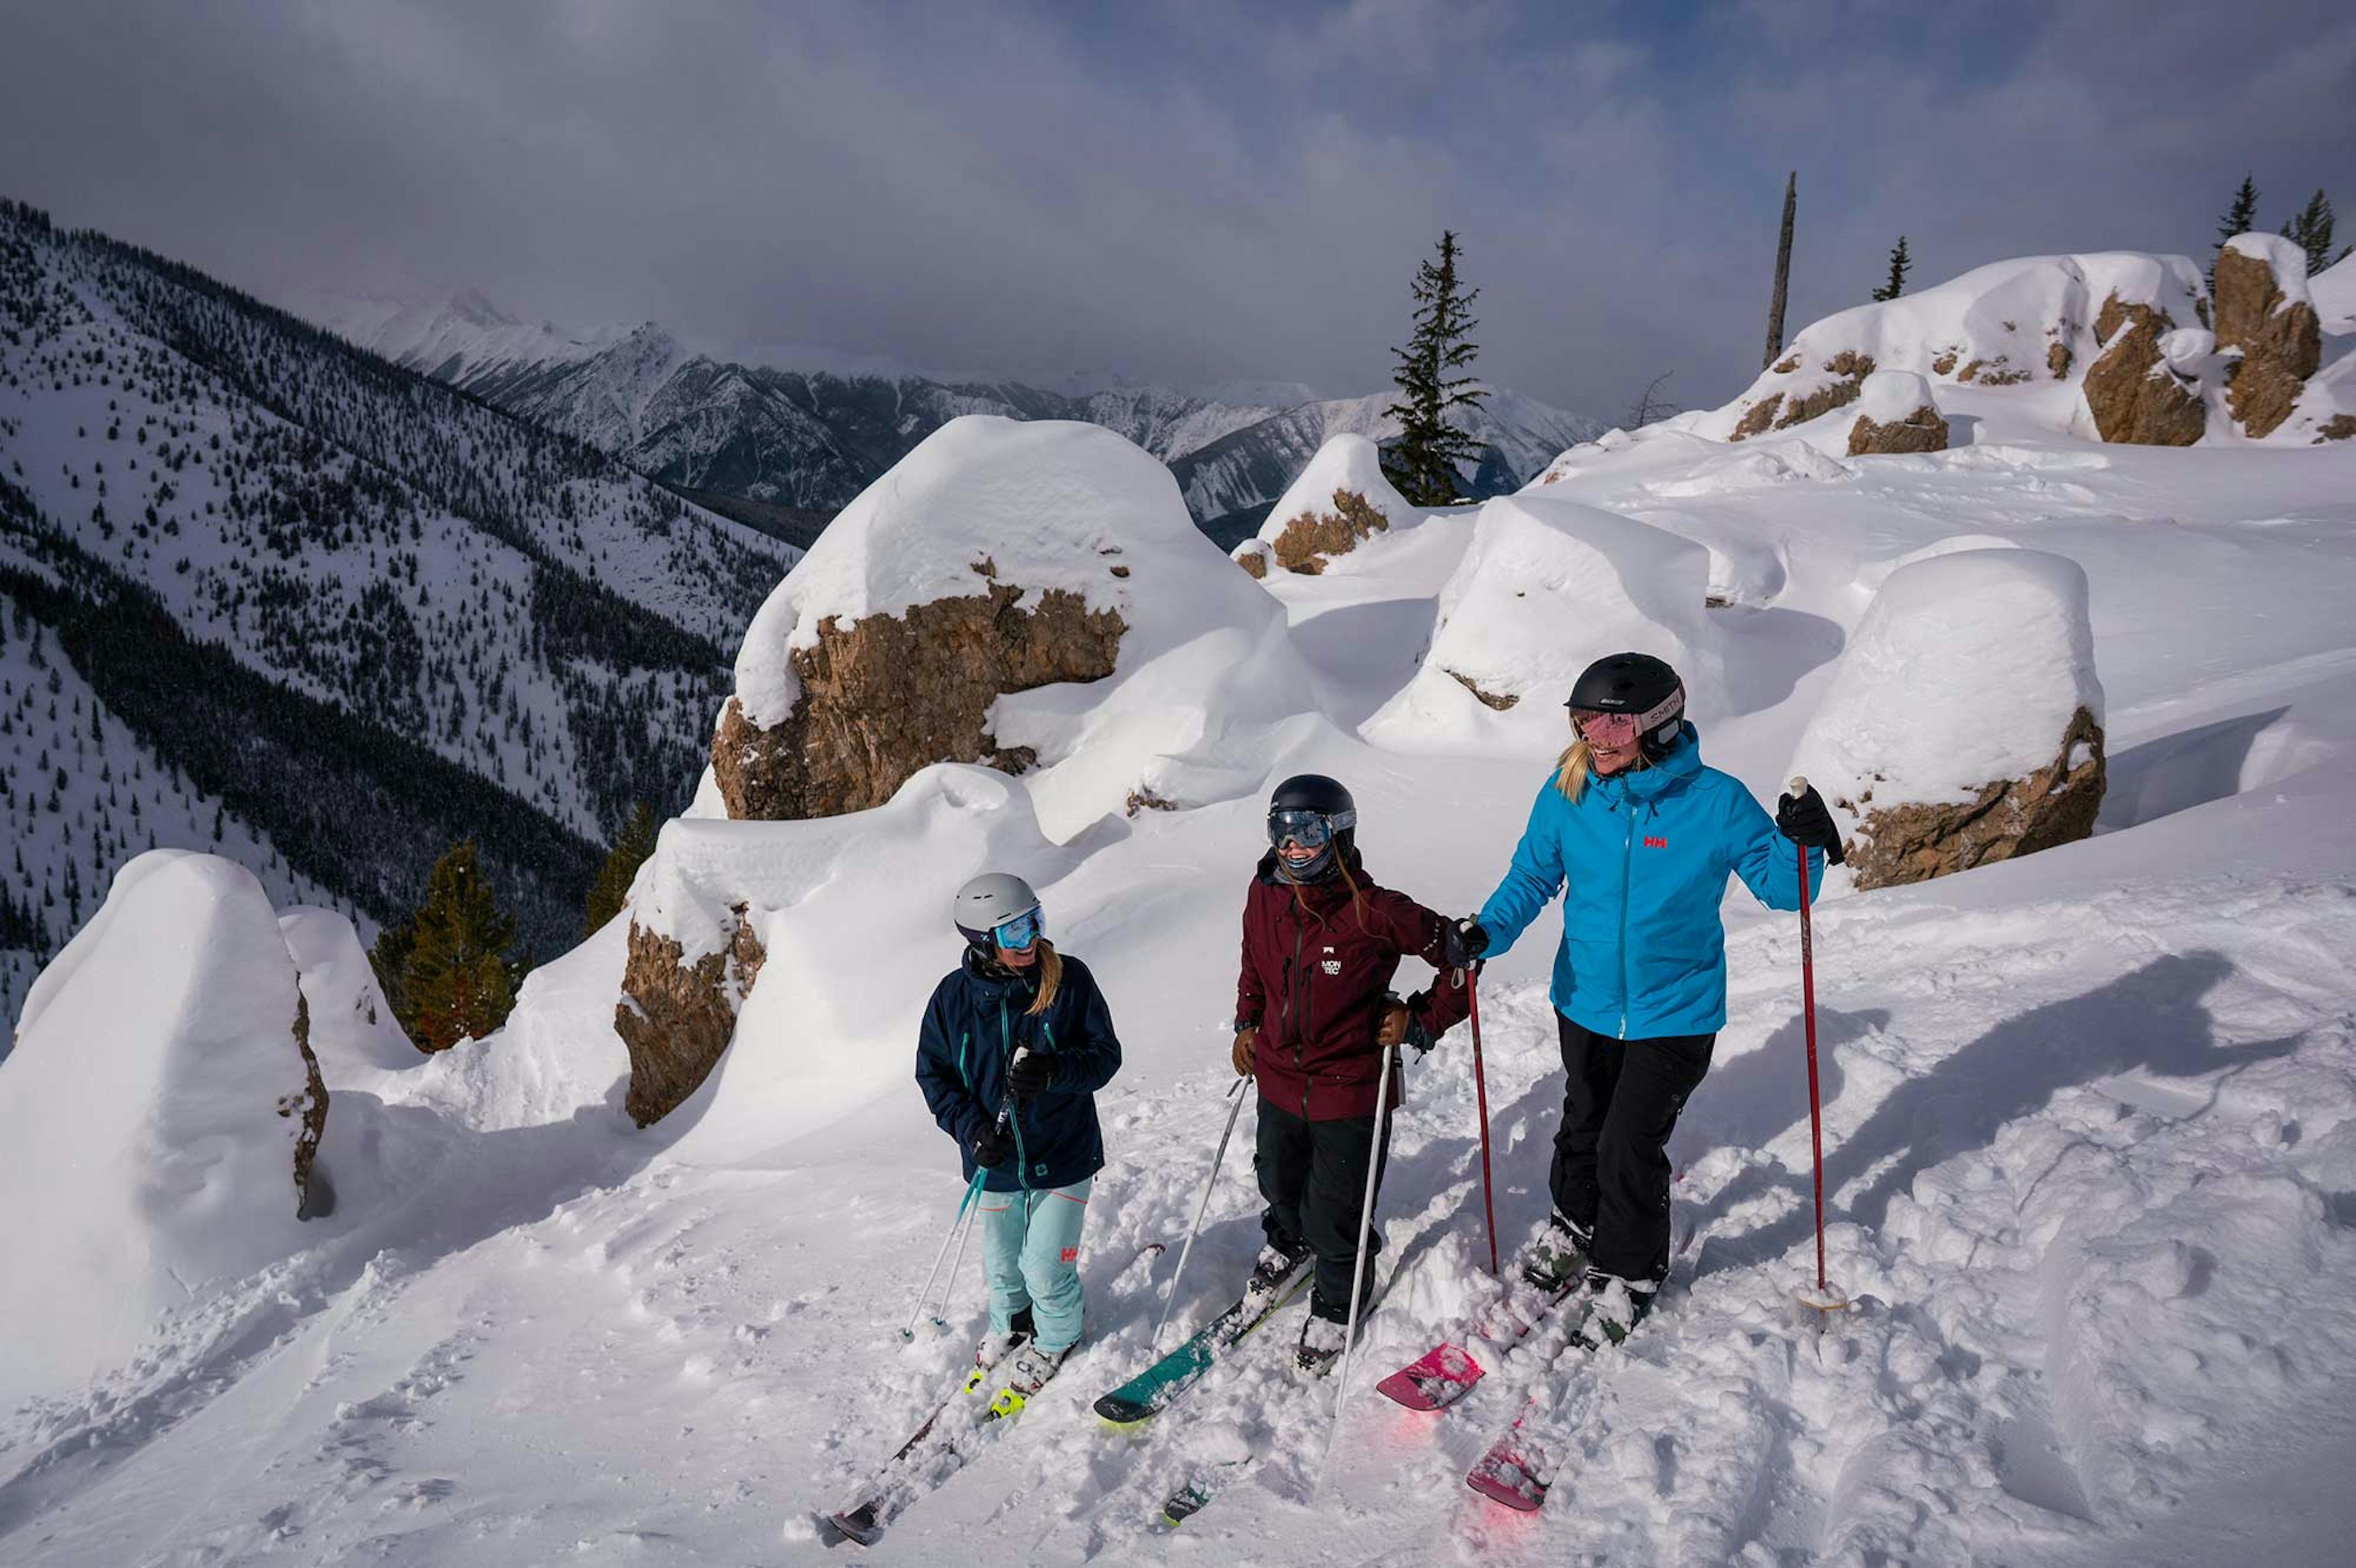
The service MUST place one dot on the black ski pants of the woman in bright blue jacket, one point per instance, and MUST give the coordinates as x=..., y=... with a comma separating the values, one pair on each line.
x=1620, y=1105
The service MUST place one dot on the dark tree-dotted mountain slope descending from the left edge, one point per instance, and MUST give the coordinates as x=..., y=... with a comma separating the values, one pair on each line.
x=463, y=620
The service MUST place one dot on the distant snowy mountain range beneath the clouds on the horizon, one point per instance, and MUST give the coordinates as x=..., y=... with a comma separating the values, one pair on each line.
x=807, y=441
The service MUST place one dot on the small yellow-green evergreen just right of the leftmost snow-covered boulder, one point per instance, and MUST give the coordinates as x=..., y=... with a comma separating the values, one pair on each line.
x=456, y=978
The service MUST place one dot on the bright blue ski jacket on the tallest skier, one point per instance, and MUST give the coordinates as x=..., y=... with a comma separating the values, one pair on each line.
x=1643, y=865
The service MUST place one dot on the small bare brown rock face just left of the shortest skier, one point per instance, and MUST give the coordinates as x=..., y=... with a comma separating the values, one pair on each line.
x=677, y=1018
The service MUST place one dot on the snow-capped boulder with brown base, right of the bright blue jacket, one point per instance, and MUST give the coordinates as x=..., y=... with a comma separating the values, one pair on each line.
x=1966, y=719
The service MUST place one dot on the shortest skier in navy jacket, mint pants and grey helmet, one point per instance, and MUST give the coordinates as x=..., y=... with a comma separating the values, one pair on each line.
x=1014, y=1047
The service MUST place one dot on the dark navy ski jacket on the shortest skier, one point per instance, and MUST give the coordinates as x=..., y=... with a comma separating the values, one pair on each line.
x=972, y=1030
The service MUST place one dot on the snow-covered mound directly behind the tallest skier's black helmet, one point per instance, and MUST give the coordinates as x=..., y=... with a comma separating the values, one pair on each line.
x=1544, y=590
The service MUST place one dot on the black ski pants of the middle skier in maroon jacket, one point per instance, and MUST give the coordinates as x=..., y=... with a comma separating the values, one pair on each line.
x=1313, y=1178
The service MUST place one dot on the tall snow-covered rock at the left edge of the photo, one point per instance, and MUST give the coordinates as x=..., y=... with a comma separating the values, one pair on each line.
x=159, y=1115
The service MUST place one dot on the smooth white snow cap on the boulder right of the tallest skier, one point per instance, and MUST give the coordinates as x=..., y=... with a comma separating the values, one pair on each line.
x=1966, y=670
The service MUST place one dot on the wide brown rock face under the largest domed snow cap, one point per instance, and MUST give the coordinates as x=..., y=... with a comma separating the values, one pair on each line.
x=892, y=696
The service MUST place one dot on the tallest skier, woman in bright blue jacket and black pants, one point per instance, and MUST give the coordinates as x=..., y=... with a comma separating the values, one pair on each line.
x=1641, y=839
